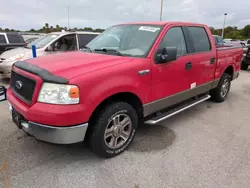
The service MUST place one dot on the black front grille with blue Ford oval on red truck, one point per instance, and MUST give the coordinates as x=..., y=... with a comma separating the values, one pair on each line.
x=22, y=86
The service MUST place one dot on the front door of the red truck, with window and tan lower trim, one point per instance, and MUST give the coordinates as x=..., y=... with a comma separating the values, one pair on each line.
x=171, y=80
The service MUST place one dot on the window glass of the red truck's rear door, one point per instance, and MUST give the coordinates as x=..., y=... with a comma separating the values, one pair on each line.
x=200, y=39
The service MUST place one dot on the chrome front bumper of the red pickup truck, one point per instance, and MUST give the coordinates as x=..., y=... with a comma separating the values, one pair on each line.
x=56, y=135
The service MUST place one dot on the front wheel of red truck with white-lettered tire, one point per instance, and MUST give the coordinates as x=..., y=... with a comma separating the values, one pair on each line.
x=113, y=129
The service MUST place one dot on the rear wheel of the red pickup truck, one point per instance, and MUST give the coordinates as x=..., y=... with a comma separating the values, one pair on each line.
x=219, y=94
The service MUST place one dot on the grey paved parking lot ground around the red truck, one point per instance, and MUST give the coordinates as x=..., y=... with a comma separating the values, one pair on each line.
x=205, y=146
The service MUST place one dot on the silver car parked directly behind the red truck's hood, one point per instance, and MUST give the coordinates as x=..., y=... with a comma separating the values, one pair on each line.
x=55, y=42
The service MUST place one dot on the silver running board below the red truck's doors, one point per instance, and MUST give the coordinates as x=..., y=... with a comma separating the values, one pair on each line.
x=177, y=110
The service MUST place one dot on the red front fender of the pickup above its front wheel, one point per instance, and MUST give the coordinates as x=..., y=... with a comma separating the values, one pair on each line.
x=102, y=84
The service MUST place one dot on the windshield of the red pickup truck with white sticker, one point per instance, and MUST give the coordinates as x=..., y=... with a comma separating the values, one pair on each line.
x=127, y=40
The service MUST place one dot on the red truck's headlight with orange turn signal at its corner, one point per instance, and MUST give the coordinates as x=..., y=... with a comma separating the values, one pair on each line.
x=59, y=94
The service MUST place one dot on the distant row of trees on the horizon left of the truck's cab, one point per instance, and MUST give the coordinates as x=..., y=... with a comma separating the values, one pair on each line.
x=49, y=28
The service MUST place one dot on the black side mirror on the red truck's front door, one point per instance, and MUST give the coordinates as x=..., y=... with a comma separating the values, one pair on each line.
x=166, y=54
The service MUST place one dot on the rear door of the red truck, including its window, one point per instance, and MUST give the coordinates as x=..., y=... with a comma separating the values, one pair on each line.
x=204, y=56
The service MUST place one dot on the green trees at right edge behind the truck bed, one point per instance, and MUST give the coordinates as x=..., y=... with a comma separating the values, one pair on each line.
x=233, y=32
